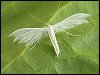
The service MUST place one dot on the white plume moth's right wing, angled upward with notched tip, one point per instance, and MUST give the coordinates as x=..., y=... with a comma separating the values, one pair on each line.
x=71, y=22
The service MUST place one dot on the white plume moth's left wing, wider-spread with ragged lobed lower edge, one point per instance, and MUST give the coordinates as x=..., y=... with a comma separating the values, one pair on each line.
x=29, y=35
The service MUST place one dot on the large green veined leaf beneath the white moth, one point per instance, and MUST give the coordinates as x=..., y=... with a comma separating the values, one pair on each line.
x=78, y=54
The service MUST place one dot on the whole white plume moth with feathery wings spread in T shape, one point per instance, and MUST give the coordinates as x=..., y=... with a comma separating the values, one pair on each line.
x=32, y=36
